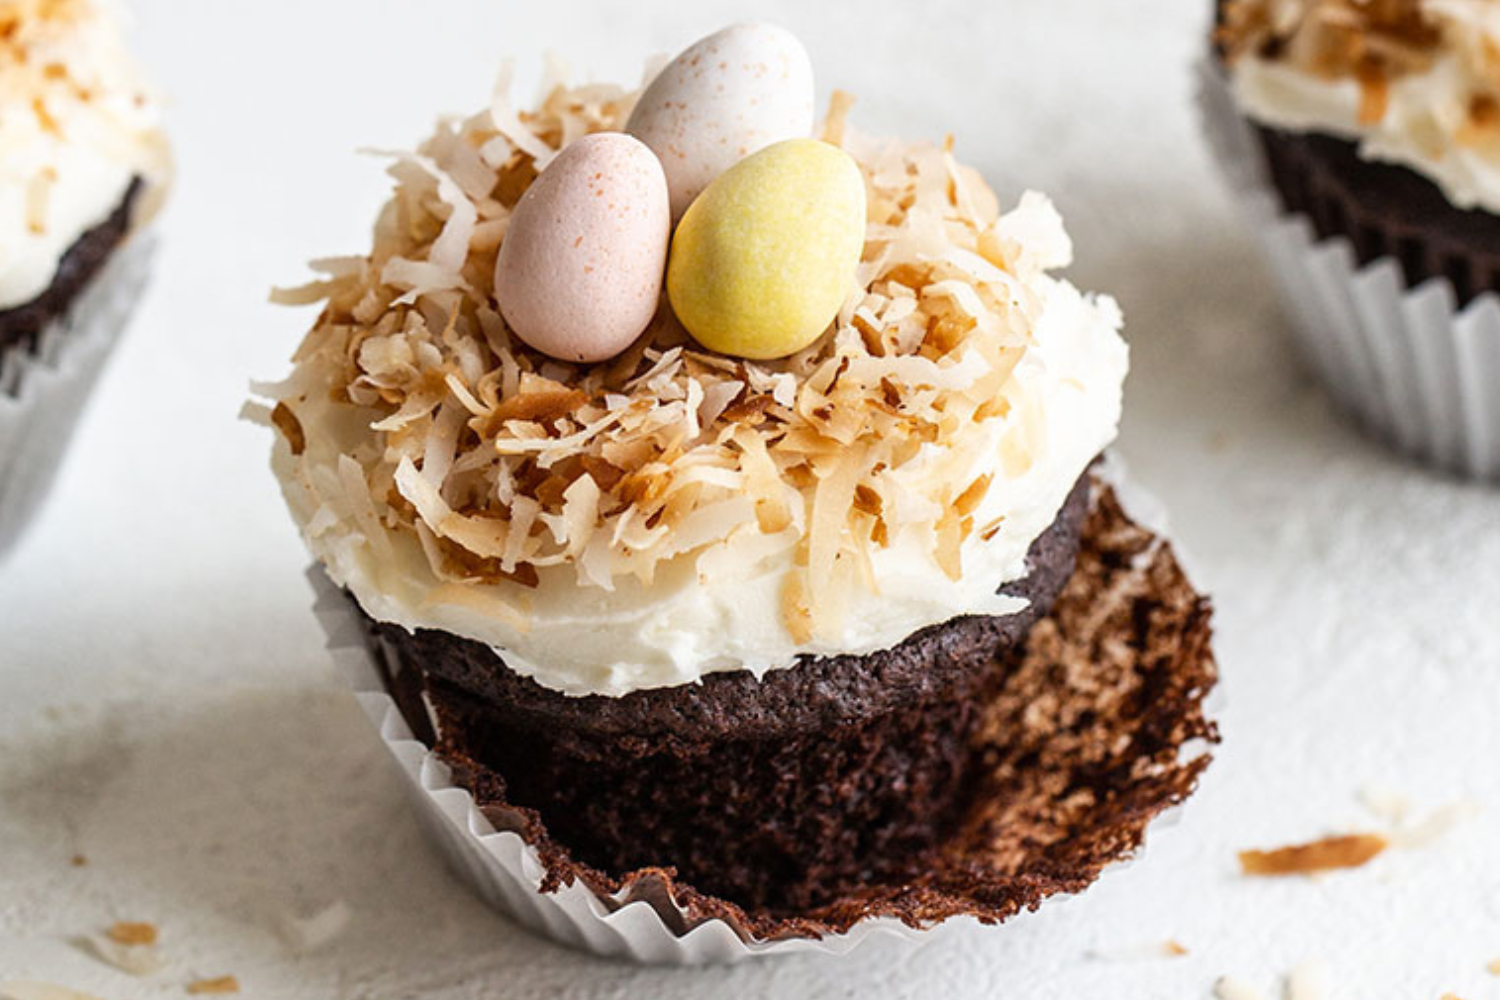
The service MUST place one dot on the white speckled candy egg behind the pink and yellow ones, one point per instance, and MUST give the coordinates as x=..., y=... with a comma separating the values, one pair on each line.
x=725, y=98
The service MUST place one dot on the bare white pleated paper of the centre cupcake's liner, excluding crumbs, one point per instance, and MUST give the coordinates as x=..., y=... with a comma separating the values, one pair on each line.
x=506, y=872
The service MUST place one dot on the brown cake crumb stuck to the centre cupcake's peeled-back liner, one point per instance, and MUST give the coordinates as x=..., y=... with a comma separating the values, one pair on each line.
x=1085, y=738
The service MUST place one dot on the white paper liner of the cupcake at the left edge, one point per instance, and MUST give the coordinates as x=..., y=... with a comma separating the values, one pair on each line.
x=43, y=394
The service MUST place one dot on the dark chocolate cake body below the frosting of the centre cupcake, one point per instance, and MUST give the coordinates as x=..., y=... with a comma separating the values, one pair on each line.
x=775, y=792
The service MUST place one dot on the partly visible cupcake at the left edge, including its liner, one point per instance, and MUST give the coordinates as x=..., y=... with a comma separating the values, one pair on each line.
x=83, y=167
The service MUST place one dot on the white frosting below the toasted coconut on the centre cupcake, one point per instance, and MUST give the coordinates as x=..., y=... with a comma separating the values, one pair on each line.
x=719, y=609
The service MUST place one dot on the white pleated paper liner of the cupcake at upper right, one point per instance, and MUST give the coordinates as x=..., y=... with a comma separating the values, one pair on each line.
x=1412, y=368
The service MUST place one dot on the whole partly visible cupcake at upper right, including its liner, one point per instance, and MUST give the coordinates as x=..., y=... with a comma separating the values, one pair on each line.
x=1366, y=139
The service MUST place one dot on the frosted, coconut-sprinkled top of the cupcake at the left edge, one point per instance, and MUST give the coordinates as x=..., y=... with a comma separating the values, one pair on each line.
x=77, y=127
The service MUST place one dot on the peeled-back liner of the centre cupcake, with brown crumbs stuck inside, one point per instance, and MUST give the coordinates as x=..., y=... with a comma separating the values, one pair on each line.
x=1145, y=624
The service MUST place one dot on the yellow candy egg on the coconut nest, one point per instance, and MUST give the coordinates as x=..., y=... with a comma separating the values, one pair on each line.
x=766, y=257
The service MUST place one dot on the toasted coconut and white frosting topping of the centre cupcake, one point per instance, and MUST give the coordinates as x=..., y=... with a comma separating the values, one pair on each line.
x=676, y=510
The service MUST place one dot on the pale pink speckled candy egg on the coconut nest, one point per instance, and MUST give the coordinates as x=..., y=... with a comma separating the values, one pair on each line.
x=580, y=271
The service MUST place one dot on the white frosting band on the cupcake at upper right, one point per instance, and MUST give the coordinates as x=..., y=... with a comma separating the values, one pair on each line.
x=1426, y=127
